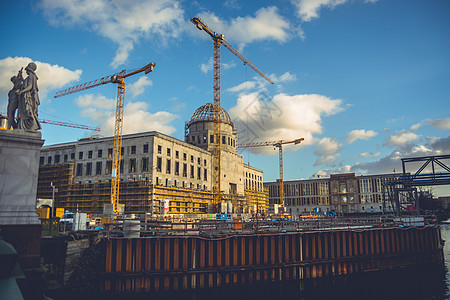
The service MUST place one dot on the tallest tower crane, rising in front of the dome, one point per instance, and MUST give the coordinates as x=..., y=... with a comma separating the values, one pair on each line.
x=218, y=40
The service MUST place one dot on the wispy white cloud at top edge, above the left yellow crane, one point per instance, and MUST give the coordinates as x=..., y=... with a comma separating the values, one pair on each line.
x=123, y=22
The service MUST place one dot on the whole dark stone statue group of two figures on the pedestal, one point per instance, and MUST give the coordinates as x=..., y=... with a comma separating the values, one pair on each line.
x=24, y=100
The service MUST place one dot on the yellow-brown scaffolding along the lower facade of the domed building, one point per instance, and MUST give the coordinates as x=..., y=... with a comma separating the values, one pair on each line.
x=138, y=196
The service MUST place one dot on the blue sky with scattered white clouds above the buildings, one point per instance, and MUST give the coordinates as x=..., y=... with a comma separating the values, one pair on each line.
x=364, y=82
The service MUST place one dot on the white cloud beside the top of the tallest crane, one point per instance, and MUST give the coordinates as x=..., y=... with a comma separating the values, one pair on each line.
x=267, y=24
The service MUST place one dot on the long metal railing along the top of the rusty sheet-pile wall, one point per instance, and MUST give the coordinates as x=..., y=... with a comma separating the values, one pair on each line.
x=220, y=228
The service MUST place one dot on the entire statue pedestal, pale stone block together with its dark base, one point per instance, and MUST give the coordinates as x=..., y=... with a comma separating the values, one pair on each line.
x=19, y=168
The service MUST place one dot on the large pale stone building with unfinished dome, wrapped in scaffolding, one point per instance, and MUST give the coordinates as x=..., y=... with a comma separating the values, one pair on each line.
x=158, y=173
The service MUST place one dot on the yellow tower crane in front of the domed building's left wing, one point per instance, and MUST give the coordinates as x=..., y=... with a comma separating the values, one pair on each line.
x=118, y=78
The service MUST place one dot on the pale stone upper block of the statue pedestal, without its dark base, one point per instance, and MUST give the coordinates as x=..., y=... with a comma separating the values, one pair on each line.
x=19, y=168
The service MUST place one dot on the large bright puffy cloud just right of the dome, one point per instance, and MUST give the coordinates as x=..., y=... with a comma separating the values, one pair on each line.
x=283, y=117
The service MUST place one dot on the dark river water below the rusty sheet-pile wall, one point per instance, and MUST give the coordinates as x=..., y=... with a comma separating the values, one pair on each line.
x=389, y=285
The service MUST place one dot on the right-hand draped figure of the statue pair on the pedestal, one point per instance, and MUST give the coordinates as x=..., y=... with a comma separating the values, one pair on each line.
x=28, y=101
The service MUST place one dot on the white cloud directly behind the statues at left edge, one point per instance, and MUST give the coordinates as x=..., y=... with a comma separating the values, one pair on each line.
x=50, y=77
